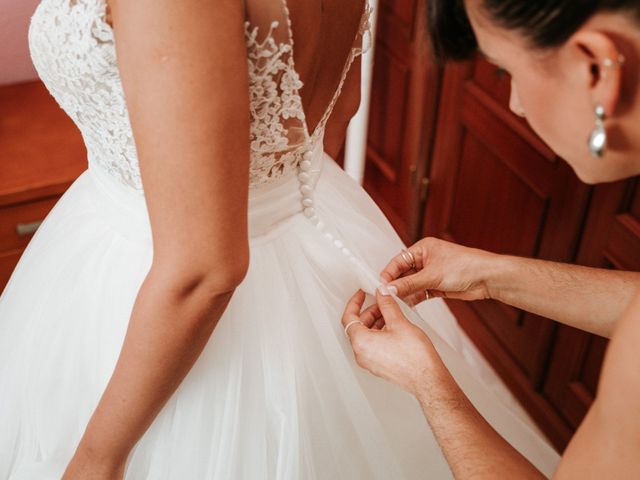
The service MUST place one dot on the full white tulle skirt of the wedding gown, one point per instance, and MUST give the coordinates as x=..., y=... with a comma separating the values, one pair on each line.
x=276, y=393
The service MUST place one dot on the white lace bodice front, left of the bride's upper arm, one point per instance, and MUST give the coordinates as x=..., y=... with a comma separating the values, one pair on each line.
x=73, y=50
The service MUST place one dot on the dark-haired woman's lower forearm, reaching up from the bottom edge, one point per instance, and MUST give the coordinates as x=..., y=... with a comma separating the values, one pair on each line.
x=473, y=449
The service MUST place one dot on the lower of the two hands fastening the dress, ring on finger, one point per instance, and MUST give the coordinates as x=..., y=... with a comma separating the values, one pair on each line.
x=399, y=351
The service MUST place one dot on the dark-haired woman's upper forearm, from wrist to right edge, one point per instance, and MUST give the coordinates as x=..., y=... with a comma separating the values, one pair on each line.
x=590, y=299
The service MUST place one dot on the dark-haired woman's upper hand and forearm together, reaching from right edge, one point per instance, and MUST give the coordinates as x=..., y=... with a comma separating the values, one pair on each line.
x=590, y=299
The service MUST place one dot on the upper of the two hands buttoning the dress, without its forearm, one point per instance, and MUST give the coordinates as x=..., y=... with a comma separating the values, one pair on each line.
x=442, y=269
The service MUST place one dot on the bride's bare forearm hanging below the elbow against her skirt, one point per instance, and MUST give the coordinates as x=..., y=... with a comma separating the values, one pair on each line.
x=169, y=328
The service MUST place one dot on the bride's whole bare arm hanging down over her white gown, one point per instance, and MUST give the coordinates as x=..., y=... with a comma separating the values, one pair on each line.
x=184, y=72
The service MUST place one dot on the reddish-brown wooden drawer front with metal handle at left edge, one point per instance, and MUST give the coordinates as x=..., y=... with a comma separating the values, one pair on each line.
x=18, y=222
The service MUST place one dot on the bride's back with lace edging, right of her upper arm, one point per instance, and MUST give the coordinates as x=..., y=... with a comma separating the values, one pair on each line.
x=300, y=53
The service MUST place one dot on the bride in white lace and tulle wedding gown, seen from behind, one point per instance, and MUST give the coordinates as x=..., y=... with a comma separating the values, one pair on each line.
x=176, y=316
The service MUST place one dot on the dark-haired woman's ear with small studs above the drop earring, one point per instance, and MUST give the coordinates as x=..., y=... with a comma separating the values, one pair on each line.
x=604, y=62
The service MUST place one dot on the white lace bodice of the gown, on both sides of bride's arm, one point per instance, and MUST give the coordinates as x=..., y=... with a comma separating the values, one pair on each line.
x=73, y=49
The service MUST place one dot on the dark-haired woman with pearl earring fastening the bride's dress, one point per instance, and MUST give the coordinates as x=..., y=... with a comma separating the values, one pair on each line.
x=575, y=67
